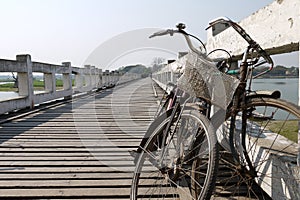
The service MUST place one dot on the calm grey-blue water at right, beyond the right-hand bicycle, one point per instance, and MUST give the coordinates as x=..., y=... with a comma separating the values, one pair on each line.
x=288, y=87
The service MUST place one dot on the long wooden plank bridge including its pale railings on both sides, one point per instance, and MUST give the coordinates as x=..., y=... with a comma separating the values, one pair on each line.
x=72, y=142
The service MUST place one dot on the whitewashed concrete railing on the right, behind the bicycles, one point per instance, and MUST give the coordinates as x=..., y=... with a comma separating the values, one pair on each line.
x=276, y=28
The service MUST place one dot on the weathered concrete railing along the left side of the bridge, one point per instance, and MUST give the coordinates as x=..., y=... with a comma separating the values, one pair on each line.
x=86, y=79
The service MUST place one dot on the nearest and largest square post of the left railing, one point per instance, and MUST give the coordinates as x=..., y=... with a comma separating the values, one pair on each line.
x=25, y=80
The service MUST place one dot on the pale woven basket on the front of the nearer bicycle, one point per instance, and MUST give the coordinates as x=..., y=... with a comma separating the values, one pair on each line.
x=201, y=78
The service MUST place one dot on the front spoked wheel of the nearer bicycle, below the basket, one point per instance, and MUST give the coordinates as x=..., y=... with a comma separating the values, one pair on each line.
x=179, y=163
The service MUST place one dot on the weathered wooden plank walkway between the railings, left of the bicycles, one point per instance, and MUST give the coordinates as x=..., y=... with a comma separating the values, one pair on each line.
x=76, y=150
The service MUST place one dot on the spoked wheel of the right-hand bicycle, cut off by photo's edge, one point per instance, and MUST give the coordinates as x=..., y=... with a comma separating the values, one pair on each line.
x=269, y=145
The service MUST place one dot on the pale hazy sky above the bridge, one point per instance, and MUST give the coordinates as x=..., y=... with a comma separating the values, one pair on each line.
x=55, y=31
